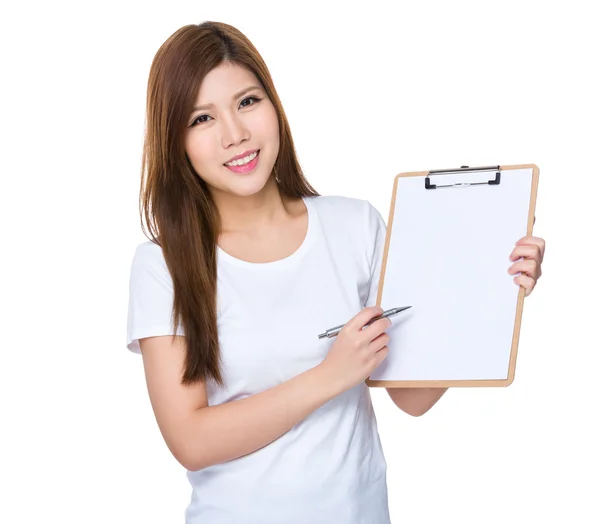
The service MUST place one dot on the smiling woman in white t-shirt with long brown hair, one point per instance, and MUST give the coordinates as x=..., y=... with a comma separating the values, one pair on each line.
x=249, y=262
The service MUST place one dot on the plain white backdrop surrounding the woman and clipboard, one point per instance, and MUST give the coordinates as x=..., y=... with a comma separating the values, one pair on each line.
x=370, y=89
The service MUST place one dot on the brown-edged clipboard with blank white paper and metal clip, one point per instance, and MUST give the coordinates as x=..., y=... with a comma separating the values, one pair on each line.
x=449, y=236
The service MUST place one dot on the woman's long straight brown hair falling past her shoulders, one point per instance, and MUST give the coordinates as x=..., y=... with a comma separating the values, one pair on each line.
x=175, y=202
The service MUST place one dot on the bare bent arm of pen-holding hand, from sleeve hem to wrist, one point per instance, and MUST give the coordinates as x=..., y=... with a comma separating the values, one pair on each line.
x=199, y=435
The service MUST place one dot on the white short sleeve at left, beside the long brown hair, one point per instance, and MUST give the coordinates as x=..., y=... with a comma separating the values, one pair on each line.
x=150, y=296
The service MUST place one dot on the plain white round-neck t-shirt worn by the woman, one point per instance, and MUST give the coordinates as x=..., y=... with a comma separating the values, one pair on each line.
x=330, y=467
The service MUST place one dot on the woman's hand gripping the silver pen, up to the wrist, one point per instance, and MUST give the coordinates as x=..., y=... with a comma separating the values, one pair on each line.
x=357, y=352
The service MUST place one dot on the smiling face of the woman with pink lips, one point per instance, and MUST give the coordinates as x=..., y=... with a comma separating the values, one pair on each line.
x=230, y=124
